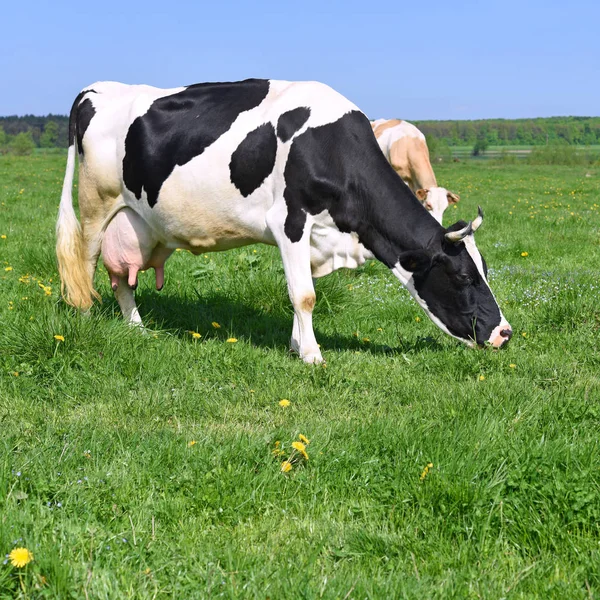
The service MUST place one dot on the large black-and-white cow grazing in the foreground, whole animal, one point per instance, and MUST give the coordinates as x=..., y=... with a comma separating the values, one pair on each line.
x=214, y=166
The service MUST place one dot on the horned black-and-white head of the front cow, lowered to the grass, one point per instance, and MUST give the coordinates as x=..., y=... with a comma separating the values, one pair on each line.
x=449, y=280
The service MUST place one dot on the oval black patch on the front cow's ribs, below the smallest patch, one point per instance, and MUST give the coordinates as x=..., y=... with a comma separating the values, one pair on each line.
x=254, y=159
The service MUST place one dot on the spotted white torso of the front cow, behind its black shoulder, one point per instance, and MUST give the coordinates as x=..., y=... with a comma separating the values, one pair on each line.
x=201, y=164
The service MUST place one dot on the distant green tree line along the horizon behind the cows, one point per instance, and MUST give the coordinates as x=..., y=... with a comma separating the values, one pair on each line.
x=22, y=135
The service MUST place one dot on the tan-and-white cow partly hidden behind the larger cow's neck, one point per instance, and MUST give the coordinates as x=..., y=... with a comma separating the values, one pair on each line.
x=406, y=150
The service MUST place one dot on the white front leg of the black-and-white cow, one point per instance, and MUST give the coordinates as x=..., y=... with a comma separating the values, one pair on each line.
x=296, y=264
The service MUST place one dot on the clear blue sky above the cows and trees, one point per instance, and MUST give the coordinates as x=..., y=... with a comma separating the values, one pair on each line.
x=416, y=60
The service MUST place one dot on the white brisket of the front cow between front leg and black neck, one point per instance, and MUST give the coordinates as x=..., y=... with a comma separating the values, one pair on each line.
x=331, y=249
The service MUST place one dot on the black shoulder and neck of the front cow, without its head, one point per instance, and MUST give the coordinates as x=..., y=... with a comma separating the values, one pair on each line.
x=339, y=167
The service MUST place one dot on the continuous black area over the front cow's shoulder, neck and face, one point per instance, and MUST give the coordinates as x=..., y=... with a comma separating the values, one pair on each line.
x=339, y=167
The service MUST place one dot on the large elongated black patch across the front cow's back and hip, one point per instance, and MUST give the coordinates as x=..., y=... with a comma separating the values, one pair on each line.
x=179, y=127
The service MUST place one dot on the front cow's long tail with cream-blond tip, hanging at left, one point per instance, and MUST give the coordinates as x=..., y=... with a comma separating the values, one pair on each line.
x=77, y=284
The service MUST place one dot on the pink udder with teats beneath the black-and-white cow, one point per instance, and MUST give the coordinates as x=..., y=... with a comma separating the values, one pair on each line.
x=130, y=246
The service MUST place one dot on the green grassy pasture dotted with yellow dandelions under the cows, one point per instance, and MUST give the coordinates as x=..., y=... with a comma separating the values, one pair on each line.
x=142, y=466
